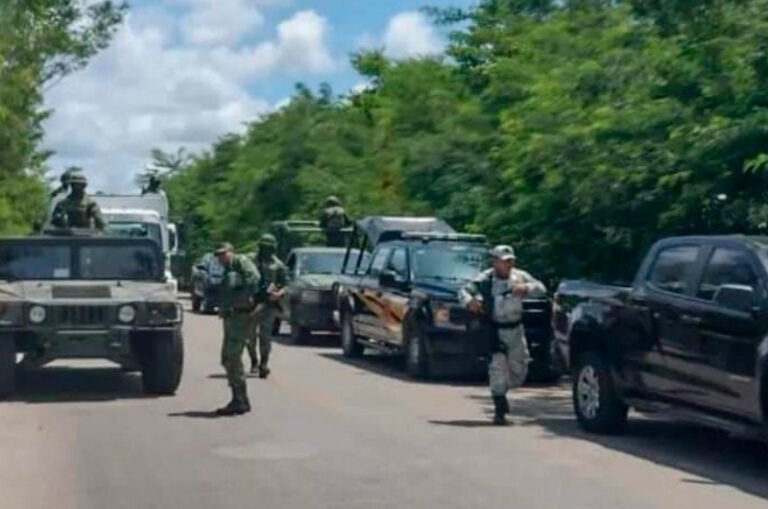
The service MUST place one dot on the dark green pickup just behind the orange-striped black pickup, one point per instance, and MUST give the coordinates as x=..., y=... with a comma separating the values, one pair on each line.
x=309, y=299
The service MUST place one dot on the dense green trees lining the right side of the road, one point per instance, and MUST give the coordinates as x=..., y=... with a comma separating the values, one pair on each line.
x=579, y=130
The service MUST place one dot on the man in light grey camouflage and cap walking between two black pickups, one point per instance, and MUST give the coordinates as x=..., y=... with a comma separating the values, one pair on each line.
x=497, y=296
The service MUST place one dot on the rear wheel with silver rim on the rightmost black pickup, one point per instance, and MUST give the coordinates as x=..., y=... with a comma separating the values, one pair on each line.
x=595, y=401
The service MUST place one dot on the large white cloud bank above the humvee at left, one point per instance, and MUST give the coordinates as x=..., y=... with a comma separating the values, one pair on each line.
x=168, y=81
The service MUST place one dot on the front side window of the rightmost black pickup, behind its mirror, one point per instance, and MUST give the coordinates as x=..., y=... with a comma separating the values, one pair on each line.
x=726, y=266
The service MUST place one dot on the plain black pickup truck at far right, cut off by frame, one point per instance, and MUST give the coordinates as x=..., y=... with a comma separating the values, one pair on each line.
x=687, y=338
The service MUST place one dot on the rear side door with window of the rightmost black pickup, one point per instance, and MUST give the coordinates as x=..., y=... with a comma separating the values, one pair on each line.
x=668, y=367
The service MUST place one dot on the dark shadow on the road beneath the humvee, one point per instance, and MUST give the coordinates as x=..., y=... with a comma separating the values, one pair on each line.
x=66, y=384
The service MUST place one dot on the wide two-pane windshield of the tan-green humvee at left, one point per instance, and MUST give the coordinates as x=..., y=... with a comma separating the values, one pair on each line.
x=69, y=260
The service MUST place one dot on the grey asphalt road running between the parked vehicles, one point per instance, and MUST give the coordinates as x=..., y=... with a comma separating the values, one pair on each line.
x=330, y=433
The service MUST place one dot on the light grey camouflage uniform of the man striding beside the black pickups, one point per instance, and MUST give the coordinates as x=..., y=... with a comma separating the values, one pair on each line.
x=509, y=350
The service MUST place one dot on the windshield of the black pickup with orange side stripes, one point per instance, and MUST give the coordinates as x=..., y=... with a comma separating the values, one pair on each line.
x=449, y=262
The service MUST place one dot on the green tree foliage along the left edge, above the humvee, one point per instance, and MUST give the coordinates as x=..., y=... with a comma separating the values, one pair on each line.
x=41, y=41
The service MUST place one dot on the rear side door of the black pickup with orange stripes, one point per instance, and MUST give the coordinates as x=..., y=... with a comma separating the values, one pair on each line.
x=369, y=297
